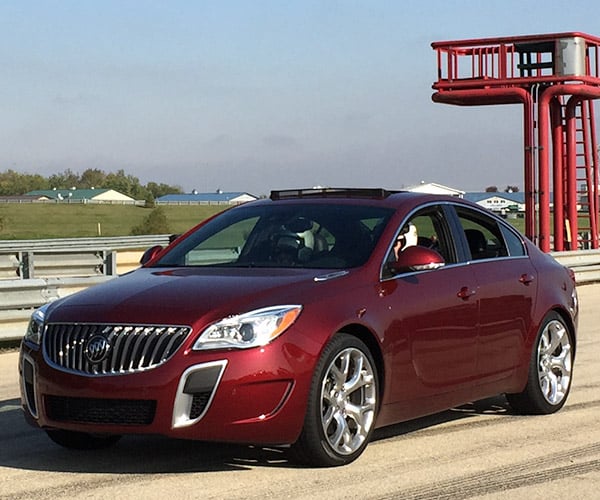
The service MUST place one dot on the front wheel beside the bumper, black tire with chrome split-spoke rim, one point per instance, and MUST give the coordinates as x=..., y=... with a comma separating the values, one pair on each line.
x=342, y=405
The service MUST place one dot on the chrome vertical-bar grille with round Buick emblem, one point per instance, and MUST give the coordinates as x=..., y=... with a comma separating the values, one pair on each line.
x=110, y=349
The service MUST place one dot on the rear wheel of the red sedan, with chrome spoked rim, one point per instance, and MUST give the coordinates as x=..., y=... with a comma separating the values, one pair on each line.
x=550, y=370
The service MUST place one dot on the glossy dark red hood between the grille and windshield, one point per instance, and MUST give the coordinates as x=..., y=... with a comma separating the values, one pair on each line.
x=183, y=296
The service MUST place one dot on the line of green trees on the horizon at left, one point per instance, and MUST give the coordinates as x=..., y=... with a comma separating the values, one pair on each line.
x=14, y=183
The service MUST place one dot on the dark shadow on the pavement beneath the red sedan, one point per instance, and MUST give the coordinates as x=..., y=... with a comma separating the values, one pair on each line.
x=27, y=448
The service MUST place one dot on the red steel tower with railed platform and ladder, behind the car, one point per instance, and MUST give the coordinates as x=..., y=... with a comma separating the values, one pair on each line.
x=555, y=77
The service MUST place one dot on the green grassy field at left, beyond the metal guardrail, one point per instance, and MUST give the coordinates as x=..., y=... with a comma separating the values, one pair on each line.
x=38, y=221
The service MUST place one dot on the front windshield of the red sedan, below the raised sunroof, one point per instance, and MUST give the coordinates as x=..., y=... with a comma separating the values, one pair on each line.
x=306, y=236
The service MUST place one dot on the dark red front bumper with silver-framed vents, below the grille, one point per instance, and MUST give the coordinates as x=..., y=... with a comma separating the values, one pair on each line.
x=253, y=396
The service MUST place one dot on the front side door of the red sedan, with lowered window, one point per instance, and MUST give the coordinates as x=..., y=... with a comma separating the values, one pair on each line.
x=434, y=331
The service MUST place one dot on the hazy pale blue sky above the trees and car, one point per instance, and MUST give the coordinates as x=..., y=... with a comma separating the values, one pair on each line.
x=258, y=95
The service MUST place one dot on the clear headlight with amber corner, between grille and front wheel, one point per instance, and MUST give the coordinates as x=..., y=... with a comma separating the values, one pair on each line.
x=252, y=329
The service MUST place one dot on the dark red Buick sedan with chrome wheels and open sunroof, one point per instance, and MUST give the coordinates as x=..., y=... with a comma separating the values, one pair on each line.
x=308, y=319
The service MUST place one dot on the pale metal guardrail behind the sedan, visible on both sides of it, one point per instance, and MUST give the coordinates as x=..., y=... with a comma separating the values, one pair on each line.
x=35, y=272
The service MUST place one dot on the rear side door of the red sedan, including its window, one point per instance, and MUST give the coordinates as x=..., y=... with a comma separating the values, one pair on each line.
x=506, y=289
